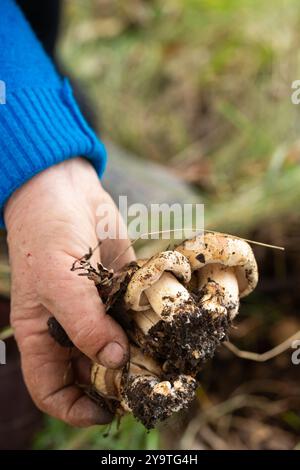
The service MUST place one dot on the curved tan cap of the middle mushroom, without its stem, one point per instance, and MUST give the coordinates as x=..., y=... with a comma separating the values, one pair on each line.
x=150, y=272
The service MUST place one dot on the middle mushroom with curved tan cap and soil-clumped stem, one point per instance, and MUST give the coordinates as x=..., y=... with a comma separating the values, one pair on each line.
x=164, y=312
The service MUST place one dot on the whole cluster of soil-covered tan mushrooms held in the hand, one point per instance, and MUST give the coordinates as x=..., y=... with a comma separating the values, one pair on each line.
x=176, y=307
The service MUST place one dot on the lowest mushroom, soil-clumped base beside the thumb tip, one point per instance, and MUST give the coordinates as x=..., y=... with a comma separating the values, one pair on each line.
x=140, y=388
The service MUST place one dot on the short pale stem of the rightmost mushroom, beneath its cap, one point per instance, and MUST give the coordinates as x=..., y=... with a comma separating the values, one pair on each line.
x=219, y=290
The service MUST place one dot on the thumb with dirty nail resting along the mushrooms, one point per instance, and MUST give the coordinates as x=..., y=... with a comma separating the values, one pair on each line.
x=75, y=302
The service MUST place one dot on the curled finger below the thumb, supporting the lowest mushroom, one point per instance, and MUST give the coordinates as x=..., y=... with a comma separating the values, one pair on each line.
x=47, y=373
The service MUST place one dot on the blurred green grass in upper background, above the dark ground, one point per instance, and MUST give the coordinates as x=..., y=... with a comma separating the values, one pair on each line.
x=203, y=87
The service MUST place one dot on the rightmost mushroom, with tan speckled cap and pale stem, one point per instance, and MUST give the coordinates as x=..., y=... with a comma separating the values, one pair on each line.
x=225, y=270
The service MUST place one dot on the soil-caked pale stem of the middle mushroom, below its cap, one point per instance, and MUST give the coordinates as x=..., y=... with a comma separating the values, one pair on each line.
x=165, y=330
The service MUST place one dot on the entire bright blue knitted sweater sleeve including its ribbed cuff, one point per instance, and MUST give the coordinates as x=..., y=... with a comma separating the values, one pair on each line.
x=40, y=122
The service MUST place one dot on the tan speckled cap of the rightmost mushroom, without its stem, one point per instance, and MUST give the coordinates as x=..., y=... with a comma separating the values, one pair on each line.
x=224, y=249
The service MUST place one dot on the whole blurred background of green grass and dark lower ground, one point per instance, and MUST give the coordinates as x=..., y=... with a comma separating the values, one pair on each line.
x=203, y=87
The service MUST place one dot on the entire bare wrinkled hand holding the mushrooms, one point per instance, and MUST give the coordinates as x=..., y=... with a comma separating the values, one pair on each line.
x=51, y=221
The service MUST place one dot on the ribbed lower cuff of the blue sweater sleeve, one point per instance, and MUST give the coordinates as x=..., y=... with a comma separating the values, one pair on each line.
x=40, y=127
